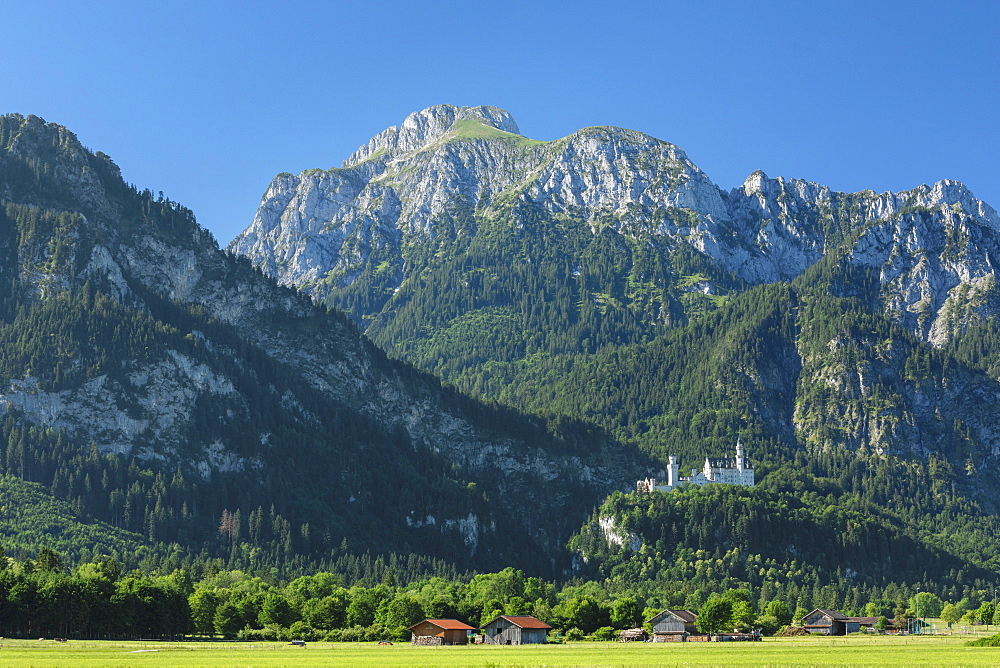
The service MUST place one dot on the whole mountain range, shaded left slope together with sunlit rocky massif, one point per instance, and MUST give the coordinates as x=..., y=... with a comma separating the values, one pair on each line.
x=464, y=345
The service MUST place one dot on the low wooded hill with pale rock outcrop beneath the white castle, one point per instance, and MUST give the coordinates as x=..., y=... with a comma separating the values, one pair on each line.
x=837, y=522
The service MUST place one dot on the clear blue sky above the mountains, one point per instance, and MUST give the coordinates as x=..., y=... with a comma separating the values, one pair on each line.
x=207, y=101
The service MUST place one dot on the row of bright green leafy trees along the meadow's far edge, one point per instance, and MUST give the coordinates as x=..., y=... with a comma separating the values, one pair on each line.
x=43, y=597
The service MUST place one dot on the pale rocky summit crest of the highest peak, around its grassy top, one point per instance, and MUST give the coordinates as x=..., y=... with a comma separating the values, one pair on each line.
x=427, y=126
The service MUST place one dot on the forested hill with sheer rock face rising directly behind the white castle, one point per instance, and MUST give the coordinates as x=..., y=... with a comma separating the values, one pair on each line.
x=800, y=366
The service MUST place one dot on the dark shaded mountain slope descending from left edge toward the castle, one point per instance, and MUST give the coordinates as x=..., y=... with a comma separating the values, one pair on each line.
x=210, y=392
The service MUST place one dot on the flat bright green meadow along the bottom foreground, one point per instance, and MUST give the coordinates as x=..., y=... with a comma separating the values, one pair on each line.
x=852, y=651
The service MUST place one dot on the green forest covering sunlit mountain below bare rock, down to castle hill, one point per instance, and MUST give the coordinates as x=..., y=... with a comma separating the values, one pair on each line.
x=876, y=438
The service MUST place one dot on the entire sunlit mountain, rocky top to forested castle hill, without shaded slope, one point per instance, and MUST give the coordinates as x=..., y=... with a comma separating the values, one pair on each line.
x=848, y=339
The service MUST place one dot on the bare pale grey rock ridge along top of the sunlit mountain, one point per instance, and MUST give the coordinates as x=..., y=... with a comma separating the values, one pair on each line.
x=930, y=246
